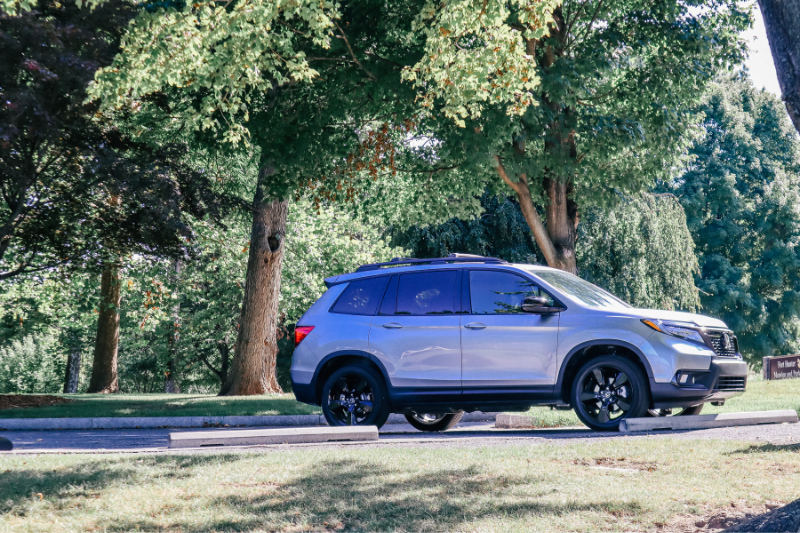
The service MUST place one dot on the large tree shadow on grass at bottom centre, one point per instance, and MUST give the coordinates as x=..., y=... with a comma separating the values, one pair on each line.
x=354, y=495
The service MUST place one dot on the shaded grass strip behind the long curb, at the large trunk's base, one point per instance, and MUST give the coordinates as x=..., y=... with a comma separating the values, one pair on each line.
x=97, y=405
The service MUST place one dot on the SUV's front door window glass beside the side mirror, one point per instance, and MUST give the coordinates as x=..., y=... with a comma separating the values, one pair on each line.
x=501, y=293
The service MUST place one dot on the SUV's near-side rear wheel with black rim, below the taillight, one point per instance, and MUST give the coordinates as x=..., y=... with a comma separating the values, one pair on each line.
x=355, y=396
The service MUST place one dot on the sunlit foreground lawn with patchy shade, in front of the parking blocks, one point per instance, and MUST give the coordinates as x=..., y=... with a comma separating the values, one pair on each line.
x=612, y=486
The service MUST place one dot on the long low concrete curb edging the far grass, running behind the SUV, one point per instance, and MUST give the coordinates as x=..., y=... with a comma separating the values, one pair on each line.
x=32, y=424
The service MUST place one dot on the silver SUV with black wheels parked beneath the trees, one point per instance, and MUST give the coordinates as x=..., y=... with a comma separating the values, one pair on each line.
x=433, y=338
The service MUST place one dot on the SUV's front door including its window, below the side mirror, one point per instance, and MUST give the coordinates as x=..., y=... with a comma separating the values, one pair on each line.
x=507, y=354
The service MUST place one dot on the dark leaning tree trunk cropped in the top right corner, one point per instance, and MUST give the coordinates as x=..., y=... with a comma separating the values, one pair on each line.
x=782, y=20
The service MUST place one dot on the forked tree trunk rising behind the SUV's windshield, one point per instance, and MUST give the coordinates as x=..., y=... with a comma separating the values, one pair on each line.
x=556, y=235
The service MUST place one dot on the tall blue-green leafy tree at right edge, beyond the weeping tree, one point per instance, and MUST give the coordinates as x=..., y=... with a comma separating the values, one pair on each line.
x=742, y=200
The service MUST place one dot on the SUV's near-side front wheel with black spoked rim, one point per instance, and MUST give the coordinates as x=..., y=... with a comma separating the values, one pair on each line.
x=607, y=390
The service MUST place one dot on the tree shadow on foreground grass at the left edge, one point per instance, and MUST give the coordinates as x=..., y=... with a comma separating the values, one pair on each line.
x=89, y=479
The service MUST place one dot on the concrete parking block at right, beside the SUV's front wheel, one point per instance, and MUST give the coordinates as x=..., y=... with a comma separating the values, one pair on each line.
x=709, y=421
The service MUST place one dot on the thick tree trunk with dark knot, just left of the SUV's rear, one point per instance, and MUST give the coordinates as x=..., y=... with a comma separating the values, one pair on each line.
x=253, y=369
